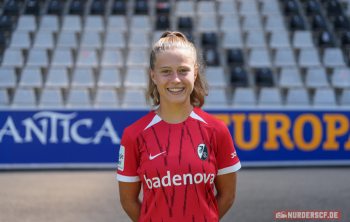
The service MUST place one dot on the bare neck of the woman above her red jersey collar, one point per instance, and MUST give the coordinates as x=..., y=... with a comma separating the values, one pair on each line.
x=174, y=113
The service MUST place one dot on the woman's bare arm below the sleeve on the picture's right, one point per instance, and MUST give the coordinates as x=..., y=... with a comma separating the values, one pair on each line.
x=226, y=191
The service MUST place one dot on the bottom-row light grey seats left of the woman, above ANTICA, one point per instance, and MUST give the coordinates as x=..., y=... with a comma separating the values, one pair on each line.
x=76, y=98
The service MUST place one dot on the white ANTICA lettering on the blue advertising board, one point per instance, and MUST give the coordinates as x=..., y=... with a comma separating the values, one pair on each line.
x=52, y=122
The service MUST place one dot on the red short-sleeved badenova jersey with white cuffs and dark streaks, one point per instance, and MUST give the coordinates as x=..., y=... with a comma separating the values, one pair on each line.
x=177, y=165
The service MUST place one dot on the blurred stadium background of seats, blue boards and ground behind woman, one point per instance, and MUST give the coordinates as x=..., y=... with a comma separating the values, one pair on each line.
x=73, y=75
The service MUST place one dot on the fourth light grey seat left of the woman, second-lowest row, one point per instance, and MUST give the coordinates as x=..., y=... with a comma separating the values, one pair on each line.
x=57, y=78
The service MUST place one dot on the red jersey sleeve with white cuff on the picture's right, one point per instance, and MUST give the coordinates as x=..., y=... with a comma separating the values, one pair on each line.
x=227, y=158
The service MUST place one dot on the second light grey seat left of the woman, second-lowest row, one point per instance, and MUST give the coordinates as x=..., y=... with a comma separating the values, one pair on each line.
x=109, y=78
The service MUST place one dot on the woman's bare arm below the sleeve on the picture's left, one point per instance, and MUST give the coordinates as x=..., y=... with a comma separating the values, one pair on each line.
x=129, y=198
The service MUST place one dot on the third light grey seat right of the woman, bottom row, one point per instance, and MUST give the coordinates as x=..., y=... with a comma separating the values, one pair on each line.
x=270, y=97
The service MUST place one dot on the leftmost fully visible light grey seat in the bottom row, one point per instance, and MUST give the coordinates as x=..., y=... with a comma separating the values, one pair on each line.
x=24, y=98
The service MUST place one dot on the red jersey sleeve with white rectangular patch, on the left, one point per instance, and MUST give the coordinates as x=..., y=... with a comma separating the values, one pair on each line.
x=128, y=160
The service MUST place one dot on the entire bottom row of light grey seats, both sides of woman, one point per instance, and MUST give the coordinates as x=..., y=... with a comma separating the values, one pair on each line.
x=104, y=98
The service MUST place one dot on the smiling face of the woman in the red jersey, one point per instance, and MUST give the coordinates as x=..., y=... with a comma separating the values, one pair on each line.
x=174, y=74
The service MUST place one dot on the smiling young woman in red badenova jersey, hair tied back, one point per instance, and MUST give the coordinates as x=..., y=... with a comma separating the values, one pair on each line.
x=177, y=151
